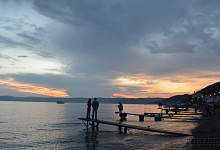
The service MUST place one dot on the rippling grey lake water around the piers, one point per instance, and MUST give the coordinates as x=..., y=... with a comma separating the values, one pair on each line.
x=46, y=125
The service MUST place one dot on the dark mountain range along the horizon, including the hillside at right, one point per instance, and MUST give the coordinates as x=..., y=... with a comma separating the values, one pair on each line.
x=211, y=89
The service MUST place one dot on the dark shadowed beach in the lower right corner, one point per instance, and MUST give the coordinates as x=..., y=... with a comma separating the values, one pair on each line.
x=207, y=134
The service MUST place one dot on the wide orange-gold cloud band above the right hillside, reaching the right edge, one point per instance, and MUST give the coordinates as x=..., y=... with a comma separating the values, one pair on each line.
x=141, y=85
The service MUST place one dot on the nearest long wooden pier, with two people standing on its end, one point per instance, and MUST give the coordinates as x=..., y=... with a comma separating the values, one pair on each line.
x=128, y=126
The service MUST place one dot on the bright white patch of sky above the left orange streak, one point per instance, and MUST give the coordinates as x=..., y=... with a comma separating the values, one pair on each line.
x=20, y=61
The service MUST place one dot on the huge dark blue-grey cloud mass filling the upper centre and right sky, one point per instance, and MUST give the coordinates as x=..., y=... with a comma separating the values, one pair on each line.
x=107, y=34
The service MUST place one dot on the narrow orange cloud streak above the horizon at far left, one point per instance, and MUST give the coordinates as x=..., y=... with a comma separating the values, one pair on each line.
x=32, y=88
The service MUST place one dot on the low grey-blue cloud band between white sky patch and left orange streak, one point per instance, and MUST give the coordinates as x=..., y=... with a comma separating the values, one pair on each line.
x=75, y=86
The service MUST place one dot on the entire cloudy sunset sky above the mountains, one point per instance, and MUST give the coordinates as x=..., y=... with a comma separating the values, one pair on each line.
x=101, y=48
